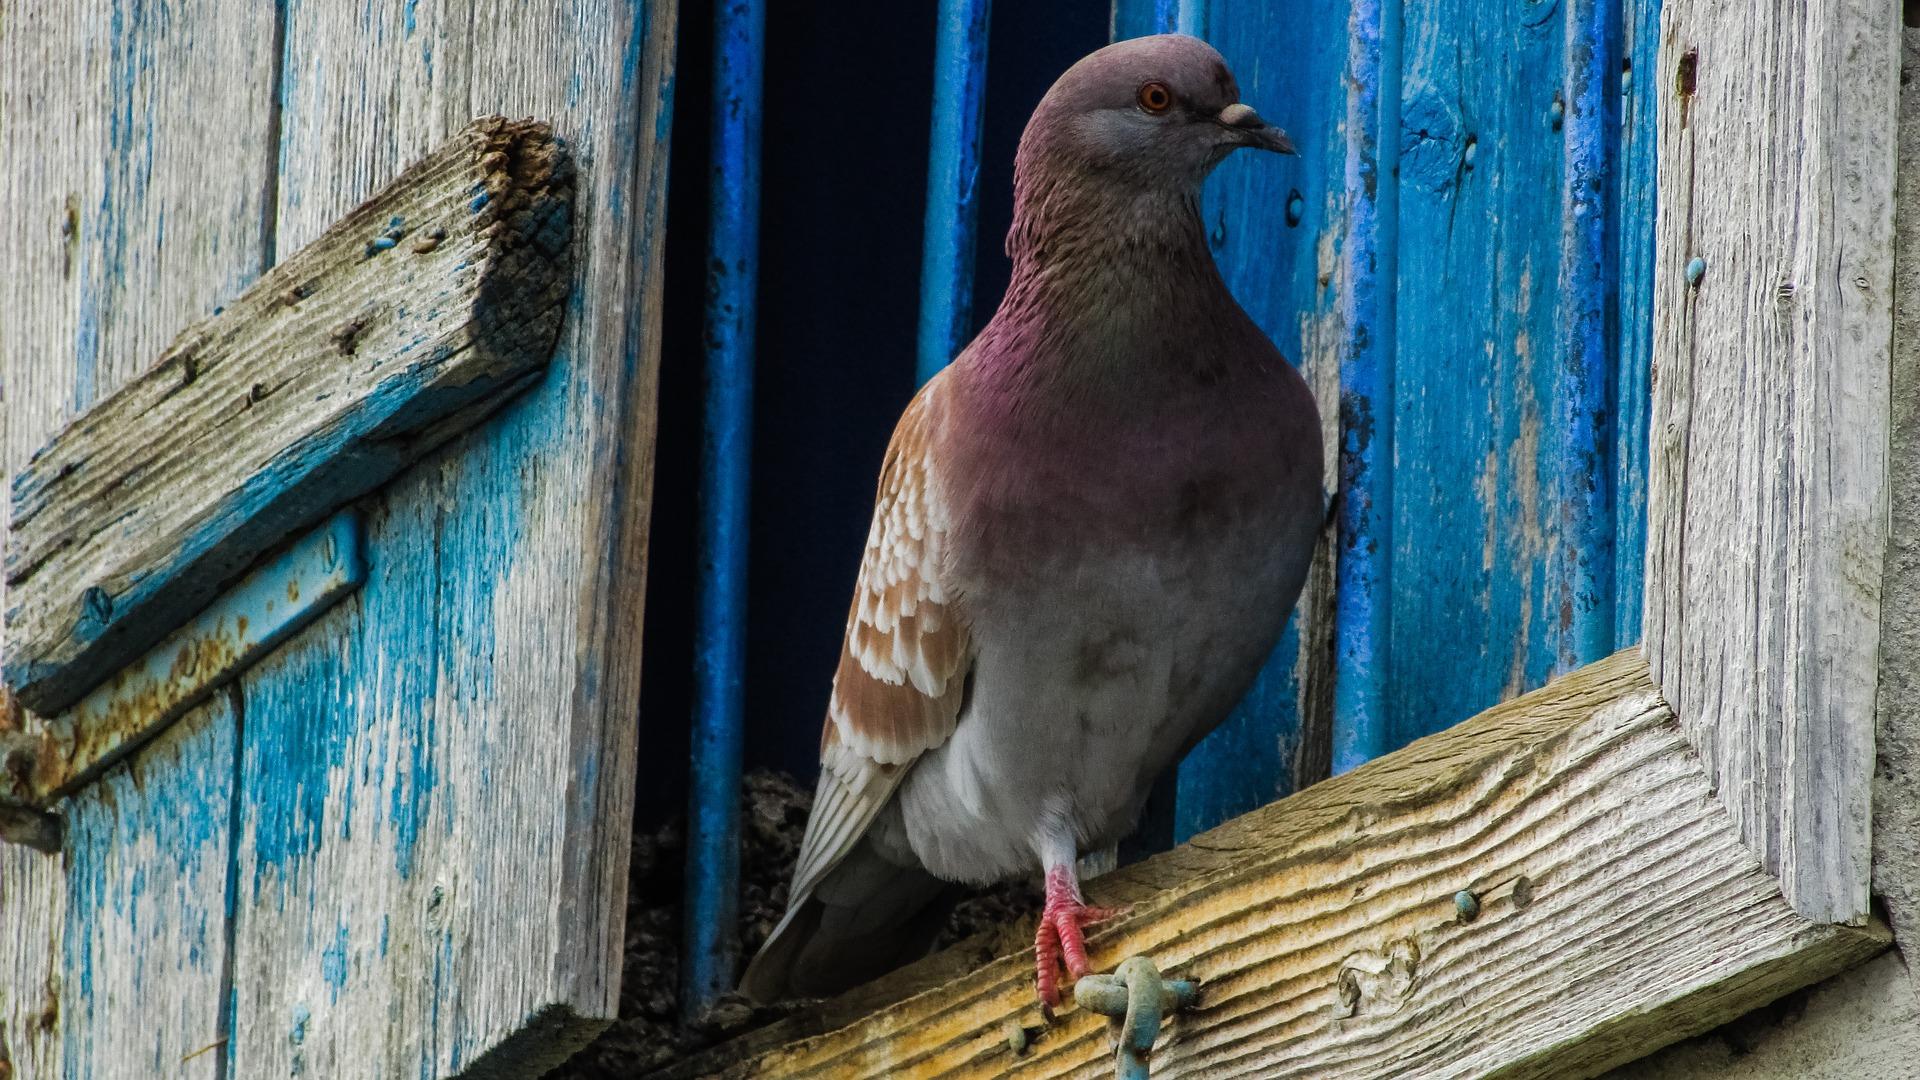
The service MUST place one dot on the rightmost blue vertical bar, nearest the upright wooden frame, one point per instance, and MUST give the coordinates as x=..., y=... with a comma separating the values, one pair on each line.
x=1583, y=562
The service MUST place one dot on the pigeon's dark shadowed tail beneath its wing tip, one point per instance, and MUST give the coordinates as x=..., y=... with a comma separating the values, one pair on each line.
x=867, y=918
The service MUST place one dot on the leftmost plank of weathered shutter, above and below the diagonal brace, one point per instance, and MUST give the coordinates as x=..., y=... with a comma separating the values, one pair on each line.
x=132, y=218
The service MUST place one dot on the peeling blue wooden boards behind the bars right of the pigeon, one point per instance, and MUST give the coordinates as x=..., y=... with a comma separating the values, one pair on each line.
x=1452, y=556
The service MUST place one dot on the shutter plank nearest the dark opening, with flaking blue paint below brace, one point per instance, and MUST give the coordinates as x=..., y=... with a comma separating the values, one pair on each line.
x=439, y=775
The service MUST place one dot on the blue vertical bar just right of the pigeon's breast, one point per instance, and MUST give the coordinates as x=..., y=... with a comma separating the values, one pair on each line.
x=1366, y=512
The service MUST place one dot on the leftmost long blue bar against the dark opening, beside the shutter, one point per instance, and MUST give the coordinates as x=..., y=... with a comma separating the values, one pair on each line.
x=721, y=639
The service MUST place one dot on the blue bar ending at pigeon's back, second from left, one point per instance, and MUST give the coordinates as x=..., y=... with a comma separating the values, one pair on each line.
x=953, y=184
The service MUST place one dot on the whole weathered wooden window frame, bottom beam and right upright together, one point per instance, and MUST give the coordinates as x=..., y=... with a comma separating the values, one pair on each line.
x=1652, y=845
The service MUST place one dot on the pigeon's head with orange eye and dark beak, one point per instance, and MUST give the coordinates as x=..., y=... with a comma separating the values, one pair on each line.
x=1153, y=112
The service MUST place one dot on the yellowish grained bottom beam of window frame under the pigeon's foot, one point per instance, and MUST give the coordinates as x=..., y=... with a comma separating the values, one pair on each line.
x=1616, y=912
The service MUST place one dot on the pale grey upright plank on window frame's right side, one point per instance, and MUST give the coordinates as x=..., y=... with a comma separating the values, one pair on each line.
x=1769, y=466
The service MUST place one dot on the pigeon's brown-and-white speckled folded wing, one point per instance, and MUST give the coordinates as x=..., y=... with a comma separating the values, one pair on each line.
x=905, y=658
